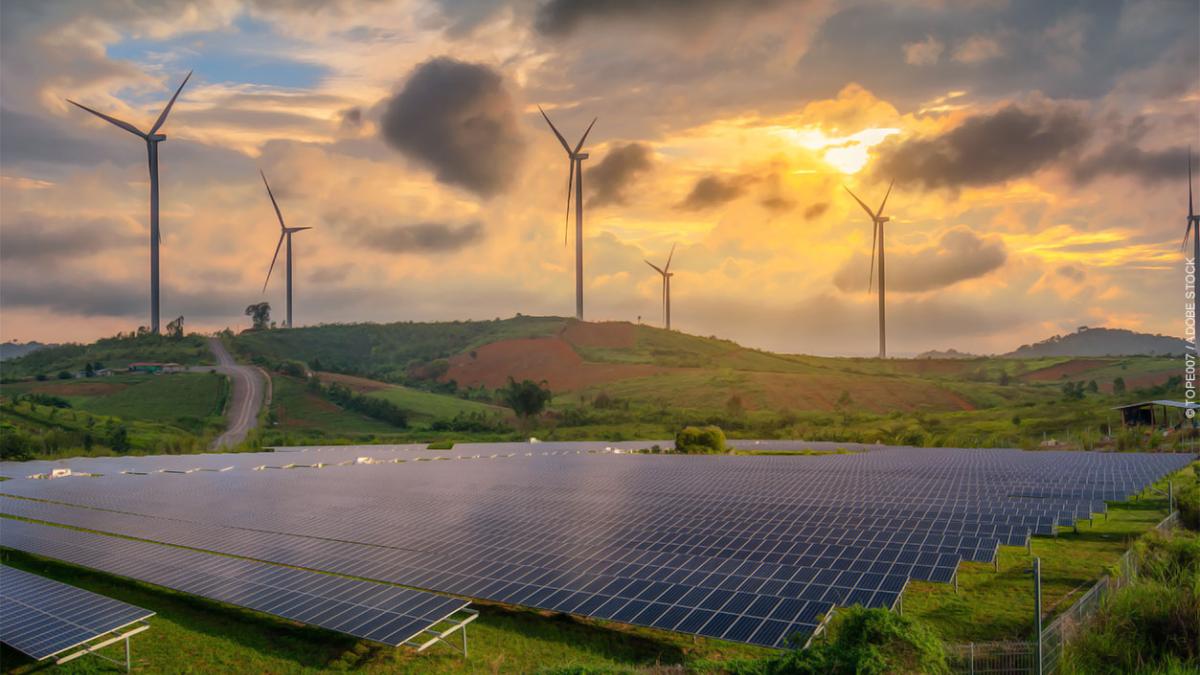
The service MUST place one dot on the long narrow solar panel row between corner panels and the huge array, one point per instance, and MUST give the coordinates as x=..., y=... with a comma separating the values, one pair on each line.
x=364, y=610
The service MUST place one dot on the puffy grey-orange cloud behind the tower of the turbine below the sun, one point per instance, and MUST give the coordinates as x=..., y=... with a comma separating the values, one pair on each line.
x=958, y=256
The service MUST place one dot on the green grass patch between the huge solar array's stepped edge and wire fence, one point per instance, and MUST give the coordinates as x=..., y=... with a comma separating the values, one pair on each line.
x=999, y=606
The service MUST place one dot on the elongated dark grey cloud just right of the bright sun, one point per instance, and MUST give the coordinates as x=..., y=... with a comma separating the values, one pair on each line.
x=987, y=150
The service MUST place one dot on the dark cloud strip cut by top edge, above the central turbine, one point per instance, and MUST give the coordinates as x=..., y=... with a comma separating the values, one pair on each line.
x=563, y=17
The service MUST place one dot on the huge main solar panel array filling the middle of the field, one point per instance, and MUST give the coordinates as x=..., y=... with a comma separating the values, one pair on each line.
x=743, y=548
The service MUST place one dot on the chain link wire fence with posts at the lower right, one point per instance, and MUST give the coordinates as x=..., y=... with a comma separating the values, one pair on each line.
x=1022, y=659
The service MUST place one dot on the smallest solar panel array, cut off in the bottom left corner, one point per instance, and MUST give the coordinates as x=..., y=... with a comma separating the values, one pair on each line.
x=43, y=618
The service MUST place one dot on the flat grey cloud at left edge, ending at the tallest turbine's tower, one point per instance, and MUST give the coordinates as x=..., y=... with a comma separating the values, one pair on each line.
x=29, y=237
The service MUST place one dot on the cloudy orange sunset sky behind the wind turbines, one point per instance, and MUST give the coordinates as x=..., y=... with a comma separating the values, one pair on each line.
x=1039, y=153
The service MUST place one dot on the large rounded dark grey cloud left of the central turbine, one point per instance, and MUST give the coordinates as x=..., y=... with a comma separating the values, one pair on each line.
x=458, y=120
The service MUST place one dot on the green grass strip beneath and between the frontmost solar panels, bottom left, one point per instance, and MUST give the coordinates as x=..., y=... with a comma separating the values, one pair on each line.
x=190, y=635
